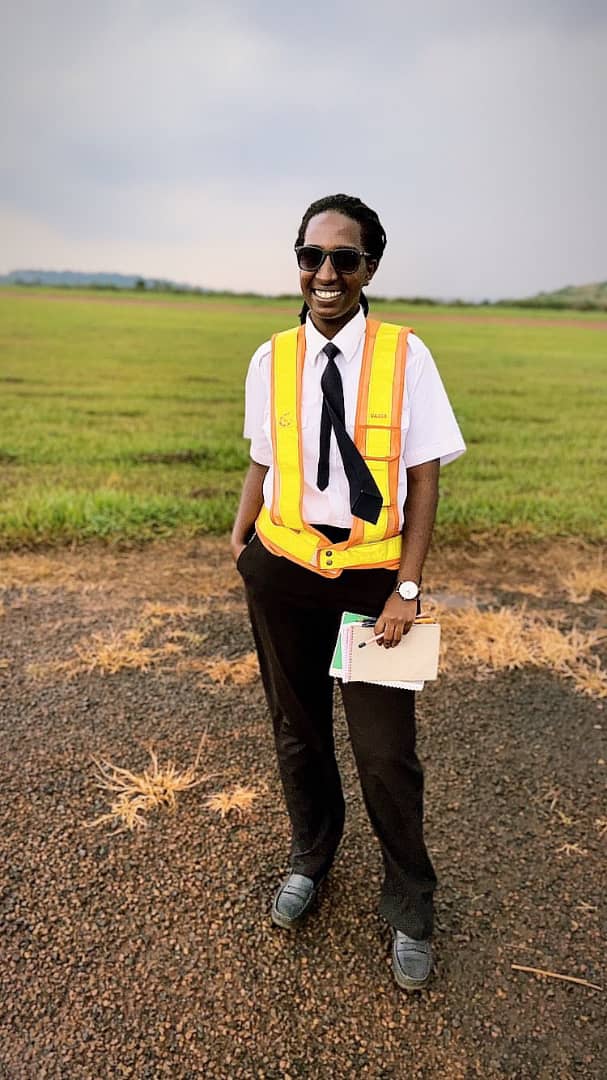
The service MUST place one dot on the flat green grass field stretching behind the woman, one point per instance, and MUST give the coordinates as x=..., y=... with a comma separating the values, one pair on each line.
x=122, y=416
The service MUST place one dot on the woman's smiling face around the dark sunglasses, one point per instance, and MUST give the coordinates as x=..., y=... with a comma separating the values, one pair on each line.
x=332, y=298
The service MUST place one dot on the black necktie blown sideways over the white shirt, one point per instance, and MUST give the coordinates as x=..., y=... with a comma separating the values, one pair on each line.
x=366, y=497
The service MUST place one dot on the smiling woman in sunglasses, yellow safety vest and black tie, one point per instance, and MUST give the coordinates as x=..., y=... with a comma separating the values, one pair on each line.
x=348, y=423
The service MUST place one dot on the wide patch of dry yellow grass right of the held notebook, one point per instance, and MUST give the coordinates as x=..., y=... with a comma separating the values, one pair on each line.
x=514, y=638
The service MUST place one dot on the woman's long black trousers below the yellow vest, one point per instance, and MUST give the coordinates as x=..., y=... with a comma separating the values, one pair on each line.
x=295, y=616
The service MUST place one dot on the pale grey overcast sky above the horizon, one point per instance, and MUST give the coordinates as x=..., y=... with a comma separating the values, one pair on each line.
x=186, y=140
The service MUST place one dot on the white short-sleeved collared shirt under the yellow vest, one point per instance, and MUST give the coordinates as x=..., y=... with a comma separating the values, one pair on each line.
x=429, y=427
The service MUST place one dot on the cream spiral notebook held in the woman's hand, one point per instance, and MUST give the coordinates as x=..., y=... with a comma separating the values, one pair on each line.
x=359, y=659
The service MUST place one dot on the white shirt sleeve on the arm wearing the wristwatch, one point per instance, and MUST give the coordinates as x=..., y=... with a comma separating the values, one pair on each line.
x=434, y=431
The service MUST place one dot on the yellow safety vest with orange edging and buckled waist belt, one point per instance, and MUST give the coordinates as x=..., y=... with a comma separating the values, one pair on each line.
x=377, y=436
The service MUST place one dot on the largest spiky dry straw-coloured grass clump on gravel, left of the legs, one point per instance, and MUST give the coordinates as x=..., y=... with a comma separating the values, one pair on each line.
x=138, y=794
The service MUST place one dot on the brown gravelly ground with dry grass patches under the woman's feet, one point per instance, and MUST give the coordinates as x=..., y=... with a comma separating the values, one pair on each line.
x=152, y=954
